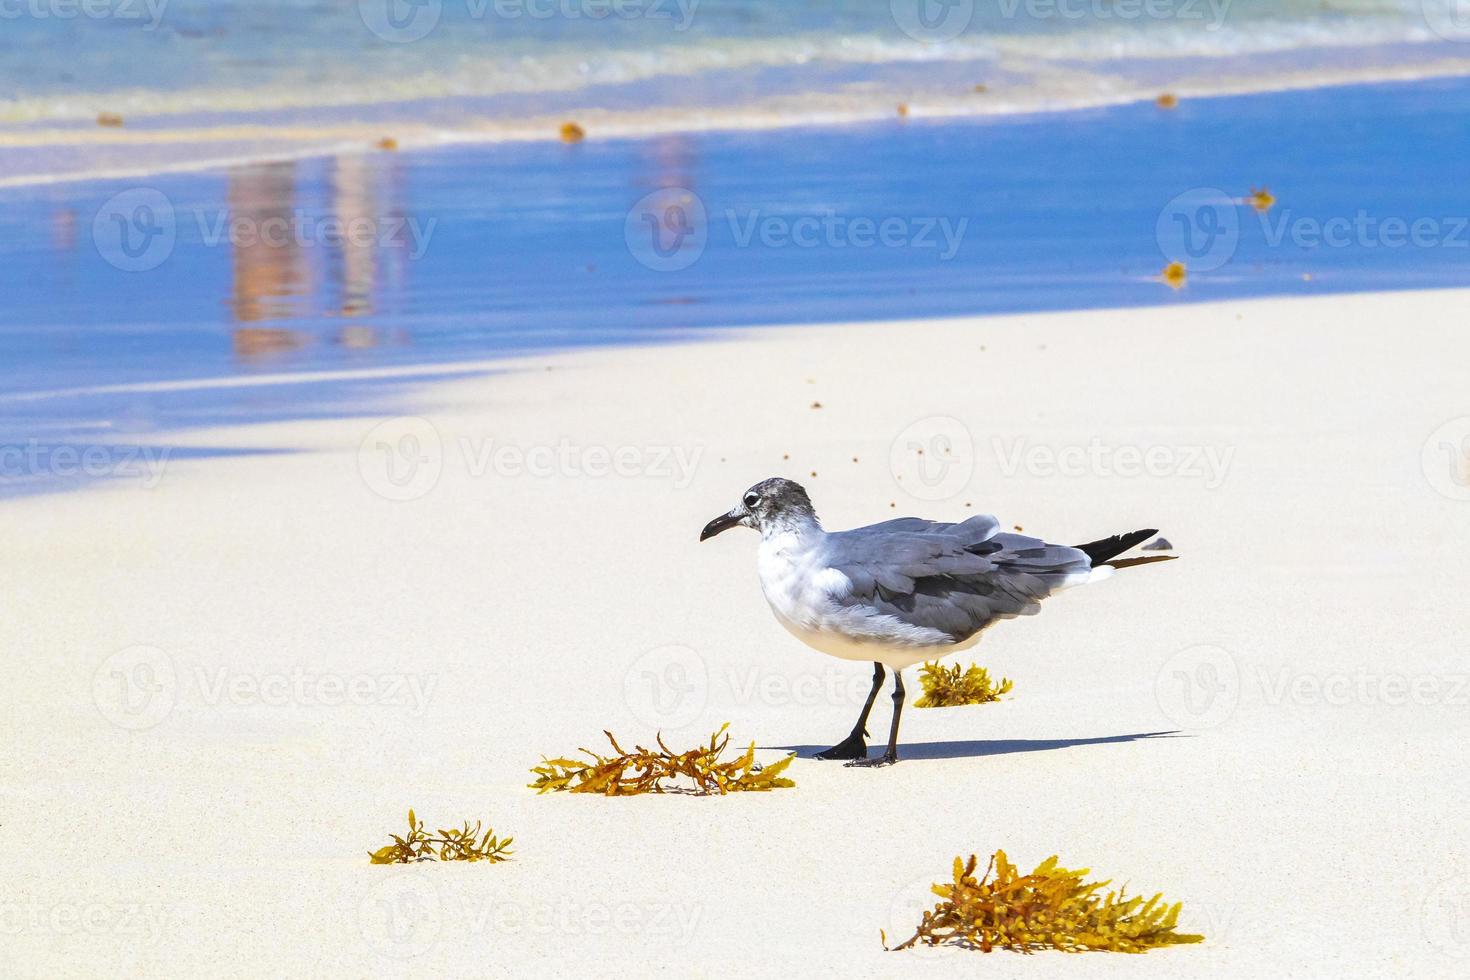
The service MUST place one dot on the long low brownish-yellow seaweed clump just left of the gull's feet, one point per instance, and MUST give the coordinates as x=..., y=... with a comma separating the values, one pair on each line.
x=698, y=772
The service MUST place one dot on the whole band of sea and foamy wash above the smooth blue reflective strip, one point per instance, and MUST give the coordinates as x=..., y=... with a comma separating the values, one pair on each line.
x=214, y=82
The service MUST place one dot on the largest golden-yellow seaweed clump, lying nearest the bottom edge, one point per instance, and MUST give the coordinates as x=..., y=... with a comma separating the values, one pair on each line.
x=1050, y=909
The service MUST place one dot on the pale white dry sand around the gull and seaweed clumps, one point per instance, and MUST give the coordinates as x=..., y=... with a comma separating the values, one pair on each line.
x=320, y=657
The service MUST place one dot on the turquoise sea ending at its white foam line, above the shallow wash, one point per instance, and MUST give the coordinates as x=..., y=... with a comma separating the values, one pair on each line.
x=176, y=55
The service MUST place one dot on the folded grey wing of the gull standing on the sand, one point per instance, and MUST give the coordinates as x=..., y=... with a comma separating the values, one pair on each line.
x=952, y=578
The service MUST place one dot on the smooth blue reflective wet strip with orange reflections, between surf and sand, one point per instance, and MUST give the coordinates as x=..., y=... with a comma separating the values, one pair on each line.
x=528, y=248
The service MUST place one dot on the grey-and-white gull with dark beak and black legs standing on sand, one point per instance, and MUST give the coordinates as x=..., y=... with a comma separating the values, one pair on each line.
x=903, y=591
